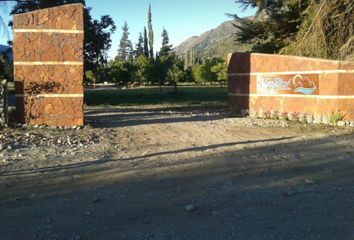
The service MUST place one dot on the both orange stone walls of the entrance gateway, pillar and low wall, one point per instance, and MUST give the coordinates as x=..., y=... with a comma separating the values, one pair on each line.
x=48, y=72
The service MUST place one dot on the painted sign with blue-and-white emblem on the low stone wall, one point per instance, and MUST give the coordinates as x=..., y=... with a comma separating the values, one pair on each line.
x=306, y=84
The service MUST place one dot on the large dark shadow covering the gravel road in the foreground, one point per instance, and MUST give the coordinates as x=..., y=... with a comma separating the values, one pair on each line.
x=285, y=190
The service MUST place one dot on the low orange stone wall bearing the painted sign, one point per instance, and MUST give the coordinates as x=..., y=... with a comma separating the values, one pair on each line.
x=277, y=84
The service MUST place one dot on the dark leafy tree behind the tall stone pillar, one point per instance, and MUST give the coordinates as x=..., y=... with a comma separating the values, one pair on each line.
x=97, y=39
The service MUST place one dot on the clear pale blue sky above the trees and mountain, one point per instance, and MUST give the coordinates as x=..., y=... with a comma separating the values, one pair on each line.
x=181, y=18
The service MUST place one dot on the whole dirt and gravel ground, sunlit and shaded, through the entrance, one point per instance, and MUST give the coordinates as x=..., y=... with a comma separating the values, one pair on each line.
x=177, y=173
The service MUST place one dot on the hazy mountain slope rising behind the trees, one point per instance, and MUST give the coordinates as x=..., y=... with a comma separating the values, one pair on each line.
x=217, y=42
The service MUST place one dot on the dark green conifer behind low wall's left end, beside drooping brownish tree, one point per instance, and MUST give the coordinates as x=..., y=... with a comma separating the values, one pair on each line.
x=273, y=30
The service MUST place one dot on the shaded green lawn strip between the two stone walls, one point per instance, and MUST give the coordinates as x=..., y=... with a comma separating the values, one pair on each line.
x=184, y=96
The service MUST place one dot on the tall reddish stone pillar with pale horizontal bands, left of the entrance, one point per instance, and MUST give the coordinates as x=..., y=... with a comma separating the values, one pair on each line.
x=48, y=66
